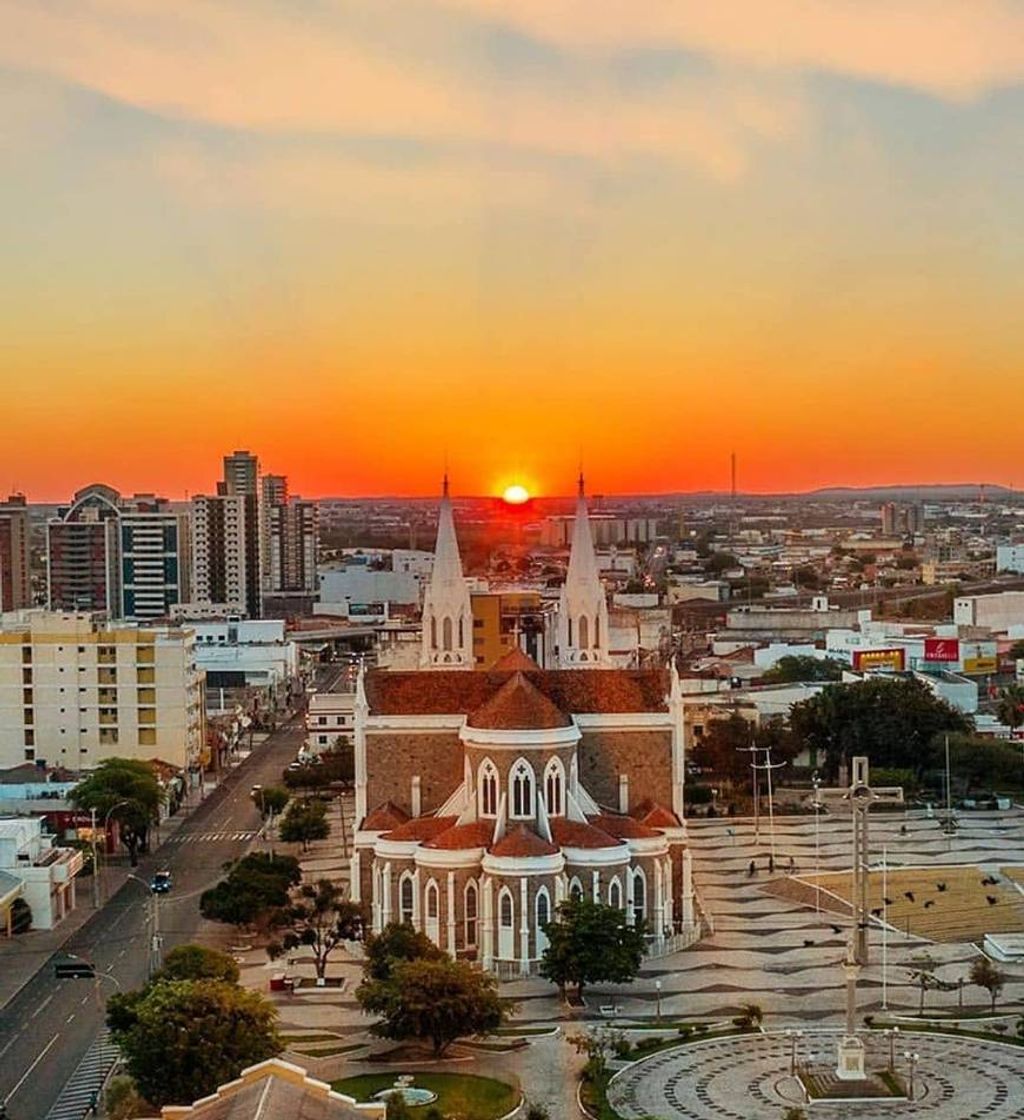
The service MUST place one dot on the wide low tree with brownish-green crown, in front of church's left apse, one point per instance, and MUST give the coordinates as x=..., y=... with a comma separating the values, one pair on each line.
x=434, y=1001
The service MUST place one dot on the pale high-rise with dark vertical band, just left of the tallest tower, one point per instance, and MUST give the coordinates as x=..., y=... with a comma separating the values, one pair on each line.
x=220, y=553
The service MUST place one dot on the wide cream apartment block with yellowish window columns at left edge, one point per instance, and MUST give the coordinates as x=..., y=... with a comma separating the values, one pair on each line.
x=75, y=692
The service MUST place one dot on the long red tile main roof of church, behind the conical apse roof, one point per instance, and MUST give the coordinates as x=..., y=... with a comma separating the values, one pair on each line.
x=439, y=693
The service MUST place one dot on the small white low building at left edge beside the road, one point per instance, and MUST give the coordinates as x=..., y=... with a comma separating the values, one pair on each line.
x=46, y=874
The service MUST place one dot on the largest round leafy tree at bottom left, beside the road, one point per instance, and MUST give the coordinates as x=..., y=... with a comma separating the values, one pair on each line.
x=182, y=1039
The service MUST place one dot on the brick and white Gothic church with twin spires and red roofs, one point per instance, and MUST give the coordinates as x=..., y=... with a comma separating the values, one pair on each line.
x=485, y=799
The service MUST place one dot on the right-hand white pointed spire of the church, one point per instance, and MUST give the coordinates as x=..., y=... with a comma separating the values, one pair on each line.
x=583, y=612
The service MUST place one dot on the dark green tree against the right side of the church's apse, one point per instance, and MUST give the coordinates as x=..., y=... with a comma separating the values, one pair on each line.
x=591, y=942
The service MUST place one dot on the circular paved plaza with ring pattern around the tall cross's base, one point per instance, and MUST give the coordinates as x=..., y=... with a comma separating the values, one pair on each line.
x=748, y=1078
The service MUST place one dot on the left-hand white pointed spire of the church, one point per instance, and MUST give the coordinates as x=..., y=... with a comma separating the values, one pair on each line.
x=448, y=641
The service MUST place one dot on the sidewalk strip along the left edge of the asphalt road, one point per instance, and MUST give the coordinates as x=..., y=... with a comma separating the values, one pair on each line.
x=23, y=957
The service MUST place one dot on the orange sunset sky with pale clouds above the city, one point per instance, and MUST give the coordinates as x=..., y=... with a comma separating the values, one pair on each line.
x=358, y=237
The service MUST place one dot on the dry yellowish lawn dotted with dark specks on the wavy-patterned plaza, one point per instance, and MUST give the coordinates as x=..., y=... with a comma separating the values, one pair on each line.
x=961, y=912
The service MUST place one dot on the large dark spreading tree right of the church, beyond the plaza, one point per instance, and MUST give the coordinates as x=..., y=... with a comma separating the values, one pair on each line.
x=893, y=722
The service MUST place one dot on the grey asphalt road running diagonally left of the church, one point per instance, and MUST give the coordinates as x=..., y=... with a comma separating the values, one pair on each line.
x=46, y=1030
